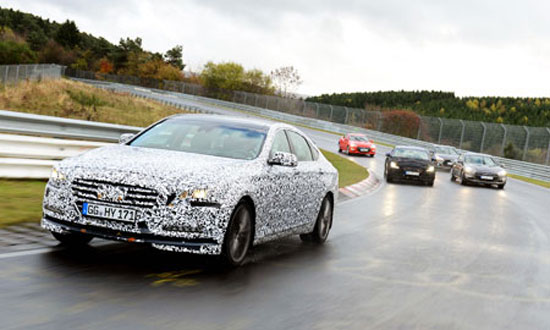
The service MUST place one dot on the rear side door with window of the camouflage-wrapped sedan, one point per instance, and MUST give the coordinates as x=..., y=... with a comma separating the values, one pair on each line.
x=307, y=183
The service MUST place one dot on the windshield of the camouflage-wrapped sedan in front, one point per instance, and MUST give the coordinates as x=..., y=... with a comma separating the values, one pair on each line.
x=204, y=137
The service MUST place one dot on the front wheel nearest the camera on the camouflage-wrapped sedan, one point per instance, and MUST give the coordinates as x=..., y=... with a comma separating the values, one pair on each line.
x=238, y=237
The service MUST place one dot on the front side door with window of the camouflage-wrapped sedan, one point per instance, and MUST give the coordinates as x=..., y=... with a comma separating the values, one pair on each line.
x=277, y=191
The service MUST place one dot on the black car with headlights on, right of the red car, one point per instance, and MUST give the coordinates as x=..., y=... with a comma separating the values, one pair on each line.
x=411, y=164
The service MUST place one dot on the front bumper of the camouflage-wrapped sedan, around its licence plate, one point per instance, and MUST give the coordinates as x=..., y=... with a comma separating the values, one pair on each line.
x=179, y=228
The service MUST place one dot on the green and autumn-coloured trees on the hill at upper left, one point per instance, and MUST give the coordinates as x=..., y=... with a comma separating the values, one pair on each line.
x=26, y=38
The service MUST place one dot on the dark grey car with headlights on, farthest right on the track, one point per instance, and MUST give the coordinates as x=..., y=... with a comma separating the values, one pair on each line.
x=479, y=169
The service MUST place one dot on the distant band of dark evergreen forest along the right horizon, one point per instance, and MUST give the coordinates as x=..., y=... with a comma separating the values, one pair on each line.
x=506, y=110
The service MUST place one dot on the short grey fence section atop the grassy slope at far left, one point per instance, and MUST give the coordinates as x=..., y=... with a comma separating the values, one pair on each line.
x=12, y=74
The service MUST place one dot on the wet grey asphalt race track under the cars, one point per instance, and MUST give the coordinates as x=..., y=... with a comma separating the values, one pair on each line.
x=405, y=257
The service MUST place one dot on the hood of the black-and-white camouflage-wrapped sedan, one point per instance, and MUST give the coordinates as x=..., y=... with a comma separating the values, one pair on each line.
x=154, y=168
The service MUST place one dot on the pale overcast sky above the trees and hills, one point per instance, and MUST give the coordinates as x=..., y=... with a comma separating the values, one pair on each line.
x=499, y=47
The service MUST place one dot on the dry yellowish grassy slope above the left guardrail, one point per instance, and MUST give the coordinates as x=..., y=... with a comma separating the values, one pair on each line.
x=70, y=99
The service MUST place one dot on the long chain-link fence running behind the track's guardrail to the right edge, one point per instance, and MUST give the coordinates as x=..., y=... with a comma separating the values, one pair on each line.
x=516, y=142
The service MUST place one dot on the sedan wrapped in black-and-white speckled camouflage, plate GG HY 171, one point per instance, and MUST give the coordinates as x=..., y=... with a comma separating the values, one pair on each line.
x=195, y=183
